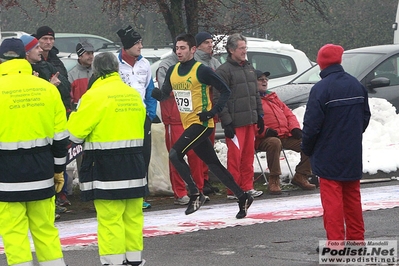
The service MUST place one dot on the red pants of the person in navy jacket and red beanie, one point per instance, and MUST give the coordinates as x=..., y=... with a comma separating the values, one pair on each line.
x=342, y=217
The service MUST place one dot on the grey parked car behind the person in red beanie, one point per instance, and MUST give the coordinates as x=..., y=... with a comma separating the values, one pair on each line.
x=376, y=67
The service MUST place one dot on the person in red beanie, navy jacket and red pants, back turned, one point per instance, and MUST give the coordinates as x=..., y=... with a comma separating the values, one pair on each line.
x=337, y=114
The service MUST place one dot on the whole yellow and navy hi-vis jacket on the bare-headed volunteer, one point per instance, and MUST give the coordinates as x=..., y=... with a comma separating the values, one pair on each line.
x=110, y=119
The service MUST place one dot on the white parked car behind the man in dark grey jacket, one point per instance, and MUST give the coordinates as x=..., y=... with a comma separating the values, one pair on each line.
x=283, y=61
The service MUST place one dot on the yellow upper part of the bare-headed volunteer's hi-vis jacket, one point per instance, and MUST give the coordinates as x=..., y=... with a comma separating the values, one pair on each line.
x=110, y=115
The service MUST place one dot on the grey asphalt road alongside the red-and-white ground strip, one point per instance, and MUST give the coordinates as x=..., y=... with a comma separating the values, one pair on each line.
x=279, y=243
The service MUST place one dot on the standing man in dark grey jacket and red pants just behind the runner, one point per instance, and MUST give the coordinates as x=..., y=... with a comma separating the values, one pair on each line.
x=243, y=114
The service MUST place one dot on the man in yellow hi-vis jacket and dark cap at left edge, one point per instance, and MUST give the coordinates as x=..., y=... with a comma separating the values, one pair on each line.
x=33, y=149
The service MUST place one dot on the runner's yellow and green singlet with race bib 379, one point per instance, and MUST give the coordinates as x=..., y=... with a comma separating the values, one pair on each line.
x=192, y=96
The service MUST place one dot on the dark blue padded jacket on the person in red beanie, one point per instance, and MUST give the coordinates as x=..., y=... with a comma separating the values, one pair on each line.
x=337, y=114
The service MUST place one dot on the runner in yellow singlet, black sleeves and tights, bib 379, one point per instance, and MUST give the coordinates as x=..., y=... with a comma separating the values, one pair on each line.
x=190, y=82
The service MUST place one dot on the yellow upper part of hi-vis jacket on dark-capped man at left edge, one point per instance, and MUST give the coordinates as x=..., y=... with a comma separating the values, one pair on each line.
x=31, y=114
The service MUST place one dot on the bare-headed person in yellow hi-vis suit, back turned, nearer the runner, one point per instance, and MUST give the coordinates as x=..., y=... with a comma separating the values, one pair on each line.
x=110, y=121
